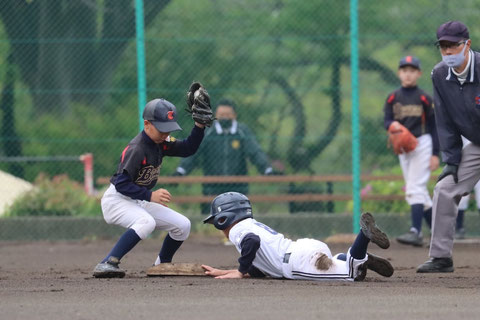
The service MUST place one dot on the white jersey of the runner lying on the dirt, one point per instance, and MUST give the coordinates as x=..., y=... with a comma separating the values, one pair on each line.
x=273, y=246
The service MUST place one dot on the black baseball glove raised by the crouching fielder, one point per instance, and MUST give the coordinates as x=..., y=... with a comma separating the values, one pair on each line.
x=198, y=102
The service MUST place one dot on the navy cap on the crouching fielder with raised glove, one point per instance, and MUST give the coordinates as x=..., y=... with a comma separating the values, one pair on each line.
x=162, y=114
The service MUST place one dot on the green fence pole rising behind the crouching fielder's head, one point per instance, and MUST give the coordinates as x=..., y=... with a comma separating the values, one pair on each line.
x=141, y=78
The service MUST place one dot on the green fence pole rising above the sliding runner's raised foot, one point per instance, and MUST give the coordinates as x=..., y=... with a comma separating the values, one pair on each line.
x=355, y=115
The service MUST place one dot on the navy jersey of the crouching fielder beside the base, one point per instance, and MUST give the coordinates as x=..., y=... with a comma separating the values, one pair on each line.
x=141, y=160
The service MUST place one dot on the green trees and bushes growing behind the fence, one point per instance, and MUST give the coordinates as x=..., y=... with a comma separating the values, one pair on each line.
x=68, y=76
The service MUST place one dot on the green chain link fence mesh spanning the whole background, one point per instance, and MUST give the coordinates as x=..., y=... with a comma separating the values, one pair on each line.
x=68, y=77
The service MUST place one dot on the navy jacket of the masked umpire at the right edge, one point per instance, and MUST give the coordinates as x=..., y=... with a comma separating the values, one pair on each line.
x=457, y=108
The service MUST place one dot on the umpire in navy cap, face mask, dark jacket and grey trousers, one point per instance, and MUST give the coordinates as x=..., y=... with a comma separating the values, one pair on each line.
x=456, y=83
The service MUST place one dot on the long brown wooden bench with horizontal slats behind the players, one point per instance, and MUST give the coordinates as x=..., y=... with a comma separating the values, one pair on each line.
x=300, y=197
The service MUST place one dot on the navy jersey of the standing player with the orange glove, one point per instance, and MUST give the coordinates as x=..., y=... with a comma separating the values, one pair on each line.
x=412, y=107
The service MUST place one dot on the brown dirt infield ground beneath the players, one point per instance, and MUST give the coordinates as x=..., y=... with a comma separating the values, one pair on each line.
x=45, y=280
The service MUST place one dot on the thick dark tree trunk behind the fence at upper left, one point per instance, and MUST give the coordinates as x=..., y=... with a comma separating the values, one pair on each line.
x=67, y=51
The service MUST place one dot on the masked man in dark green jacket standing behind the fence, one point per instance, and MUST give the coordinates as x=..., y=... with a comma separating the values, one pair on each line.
x=227, y=146
